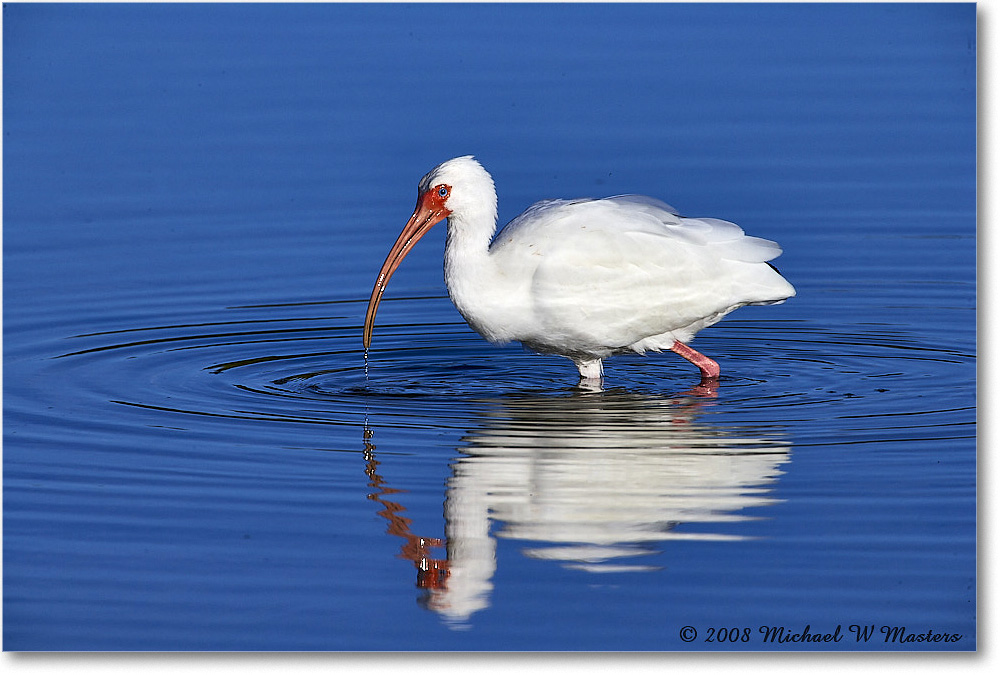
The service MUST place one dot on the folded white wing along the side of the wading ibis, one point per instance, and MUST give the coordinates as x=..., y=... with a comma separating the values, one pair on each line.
x=613, y=272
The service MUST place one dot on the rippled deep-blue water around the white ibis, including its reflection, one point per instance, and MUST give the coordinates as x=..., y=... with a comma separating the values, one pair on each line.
x=197, y=198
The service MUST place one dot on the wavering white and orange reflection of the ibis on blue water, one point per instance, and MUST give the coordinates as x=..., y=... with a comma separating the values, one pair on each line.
x=597, y=482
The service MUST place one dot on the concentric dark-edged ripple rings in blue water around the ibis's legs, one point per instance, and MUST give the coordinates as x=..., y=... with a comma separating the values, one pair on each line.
x=302, y=363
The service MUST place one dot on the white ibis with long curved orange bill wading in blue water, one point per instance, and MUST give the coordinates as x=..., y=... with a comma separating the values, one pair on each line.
x=585, y=278
